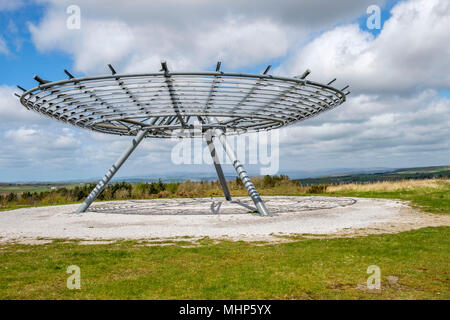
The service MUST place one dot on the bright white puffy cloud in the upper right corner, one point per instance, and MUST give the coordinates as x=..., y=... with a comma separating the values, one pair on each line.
x=410, y=52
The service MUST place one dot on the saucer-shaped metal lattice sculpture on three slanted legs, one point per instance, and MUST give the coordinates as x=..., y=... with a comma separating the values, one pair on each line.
x=165, y=104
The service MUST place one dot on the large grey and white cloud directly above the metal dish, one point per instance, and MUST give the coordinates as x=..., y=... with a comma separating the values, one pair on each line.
x=194, y=34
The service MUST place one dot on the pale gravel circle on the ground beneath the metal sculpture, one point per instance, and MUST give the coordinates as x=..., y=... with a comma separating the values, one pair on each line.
x=198, y=217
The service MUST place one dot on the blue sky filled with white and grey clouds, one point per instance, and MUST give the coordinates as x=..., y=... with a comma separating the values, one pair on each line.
x=397, y=115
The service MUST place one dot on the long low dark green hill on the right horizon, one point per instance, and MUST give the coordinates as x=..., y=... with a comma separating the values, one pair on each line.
x=398, y=174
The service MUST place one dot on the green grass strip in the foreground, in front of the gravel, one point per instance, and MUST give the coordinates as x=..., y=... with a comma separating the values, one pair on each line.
x=308, y=269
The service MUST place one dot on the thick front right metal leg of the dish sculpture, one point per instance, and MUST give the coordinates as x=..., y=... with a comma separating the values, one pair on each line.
x=248, y=184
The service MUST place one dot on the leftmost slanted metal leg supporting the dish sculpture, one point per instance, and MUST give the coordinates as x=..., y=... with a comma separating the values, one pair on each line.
x=112, y=171
